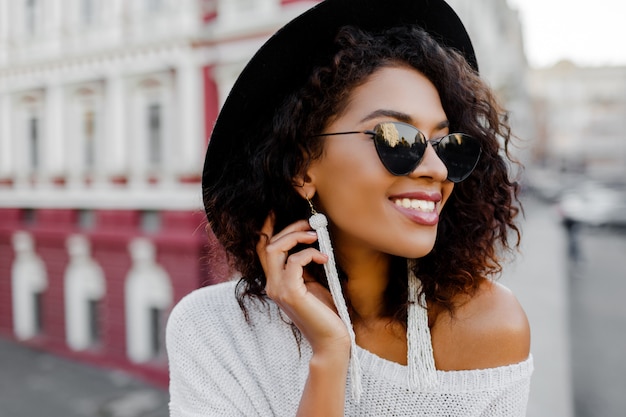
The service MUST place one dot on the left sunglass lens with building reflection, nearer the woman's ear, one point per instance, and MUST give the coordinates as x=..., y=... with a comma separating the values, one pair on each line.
x=400, y=146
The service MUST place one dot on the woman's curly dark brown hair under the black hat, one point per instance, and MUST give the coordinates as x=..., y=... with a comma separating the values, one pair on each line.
x=477, y=221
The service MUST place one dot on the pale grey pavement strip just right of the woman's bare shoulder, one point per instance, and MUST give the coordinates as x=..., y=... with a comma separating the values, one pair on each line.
x=538, y=277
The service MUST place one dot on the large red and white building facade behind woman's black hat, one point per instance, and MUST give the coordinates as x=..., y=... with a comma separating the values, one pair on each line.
x=105, y=111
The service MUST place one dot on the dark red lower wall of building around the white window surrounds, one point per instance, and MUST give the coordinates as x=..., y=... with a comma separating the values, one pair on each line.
x=182, y=249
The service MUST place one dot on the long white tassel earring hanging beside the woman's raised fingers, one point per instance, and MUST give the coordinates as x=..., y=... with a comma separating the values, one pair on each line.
x=319, y=223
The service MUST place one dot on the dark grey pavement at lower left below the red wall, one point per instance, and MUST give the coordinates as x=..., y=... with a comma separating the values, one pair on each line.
x=38, y=384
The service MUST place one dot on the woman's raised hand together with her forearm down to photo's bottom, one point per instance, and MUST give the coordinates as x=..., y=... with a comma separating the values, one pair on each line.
x=310, y=306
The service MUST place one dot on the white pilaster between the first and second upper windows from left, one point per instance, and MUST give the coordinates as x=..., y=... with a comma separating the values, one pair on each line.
x=53, y=146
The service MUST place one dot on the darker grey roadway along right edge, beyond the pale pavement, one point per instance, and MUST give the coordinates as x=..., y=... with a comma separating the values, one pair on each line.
x=598, y=318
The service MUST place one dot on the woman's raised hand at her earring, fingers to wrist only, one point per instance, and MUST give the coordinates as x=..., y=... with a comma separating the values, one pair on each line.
x=306, y=302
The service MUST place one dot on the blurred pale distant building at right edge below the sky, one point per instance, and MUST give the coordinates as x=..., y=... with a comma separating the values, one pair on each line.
x=581, y=119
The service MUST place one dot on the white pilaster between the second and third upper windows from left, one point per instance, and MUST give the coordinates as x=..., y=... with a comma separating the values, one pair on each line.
x=114, y=155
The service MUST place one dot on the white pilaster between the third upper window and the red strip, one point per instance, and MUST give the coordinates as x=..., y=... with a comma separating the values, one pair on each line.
x=189, y=131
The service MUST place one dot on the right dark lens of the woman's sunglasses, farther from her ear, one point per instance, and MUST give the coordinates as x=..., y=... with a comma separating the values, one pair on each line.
x=460, y=153
